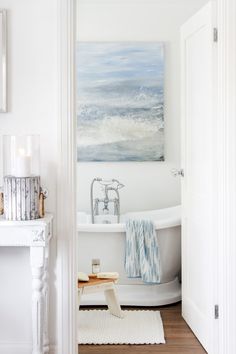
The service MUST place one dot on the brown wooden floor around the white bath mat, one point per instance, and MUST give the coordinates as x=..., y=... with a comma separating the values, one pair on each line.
x=179, y=338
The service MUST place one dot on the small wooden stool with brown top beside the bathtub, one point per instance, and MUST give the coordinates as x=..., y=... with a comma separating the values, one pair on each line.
x=95, y=285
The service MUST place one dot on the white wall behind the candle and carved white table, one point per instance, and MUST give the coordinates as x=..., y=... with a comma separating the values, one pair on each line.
x=32, y=93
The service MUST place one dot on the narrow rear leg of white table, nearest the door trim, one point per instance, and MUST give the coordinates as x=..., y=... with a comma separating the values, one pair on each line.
x=46, y=302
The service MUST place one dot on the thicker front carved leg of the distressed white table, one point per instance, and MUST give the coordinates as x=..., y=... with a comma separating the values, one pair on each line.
x=37, y=269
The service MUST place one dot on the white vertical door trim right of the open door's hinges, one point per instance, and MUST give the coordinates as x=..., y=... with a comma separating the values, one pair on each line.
x=227, y=174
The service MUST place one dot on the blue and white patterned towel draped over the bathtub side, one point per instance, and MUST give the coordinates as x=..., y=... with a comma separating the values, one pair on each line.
x=141, y=251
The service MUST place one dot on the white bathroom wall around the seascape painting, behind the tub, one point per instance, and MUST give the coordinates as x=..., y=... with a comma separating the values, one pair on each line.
x=149, y=185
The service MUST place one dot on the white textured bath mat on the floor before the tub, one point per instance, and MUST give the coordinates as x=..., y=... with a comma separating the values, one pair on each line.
x=137, y=327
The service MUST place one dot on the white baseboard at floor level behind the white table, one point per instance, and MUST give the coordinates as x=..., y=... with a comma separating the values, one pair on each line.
x=21, y=348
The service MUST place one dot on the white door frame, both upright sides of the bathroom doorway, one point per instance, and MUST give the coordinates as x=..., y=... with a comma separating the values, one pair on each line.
x=225, y=179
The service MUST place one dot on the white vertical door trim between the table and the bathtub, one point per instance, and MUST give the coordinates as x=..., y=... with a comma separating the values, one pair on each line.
x=66, y=206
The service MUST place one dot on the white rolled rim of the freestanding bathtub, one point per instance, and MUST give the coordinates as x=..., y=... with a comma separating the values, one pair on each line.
x=167, y=222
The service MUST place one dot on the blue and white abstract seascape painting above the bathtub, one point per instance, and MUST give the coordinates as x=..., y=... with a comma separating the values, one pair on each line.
x=120, y=101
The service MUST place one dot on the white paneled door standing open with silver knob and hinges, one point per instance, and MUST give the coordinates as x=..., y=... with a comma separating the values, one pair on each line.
x=198, y=42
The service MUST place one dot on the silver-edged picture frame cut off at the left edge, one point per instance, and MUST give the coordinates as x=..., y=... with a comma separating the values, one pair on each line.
x=3, y=98
